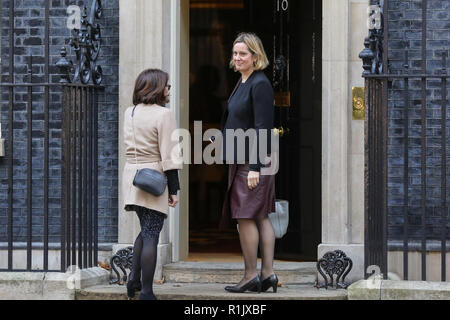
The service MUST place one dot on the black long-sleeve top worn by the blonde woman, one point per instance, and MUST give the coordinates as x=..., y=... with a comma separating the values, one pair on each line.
x=250, y=106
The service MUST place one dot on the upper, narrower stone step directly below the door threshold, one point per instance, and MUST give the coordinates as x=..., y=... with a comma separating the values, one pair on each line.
x=232, y=272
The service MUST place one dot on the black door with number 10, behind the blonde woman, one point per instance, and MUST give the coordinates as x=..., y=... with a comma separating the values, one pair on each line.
x=296, y=75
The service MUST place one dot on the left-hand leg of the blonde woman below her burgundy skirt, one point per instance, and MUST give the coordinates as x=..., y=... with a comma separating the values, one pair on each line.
x=249, y=238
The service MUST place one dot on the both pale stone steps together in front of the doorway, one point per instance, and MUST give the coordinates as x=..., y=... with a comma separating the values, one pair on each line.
x=201, y=280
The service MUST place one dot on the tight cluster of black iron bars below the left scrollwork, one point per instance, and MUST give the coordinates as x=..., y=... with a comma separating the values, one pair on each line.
x=79, y=175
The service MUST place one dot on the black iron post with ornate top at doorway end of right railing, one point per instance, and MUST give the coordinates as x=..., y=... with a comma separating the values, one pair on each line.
x=375, y=178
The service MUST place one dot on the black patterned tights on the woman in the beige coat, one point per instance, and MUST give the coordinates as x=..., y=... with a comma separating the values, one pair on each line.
x=145, y=250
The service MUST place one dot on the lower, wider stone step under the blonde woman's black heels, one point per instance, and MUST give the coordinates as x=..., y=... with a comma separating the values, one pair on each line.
x=212, y=291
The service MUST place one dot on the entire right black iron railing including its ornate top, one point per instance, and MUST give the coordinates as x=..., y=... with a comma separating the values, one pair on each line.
x=378, y=81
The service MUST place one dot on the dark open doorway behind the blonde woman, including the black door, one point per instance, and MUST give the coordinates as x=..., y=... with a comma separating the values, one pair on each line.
x=288, y=29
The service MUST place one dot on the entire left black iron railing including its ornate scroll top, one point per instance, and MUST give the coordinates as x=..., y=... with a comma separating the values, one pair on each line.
x=68, y=110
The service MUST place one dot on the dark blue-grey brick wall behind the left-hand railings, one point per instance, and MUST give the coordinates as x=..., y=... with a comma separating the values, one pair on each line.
x=29, y=37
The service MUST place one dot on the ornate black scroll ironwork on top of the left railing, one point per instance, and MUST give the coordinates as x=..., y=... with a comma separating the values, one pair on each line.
x=86, y=43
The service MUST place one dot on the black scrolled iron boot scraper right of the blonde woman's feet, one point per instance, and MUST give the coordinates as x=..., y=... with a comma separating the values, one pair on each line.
x=334, y=263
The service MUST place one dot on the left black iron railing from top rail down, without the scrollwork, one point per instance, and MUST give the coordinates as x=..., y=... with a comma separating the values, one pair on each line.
x=79, y=125
